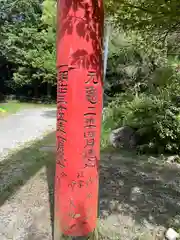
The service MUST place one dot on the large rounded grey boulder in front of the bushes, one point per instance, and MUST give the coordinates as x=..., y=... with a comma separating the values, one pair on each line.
x=123, y=137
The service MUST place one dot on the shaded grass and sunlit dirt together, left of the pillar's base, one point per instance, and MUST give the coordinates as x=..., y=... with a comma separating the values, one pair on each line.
x=26, y=193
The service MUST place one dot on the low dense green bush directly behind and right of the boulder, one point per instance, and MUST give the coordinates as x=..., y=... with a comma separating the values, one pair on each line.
x=156, y=118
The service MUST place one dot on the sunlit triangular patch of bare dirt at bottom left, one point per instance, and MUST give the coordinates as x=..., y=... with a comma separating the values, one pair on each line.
x=26, y=215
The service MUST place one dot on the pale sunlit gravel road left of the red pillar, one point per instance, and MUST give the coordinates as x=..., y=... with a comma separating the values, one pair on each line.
x=24, y=126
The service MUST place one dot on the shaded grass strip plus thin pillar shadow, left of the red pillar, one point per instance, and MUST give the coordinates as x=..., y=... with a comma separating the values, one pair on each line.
x=22, y=165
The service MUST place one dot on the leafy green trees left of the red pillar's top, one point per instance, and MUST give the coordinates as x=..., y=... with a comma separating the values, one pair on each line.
x=28, y=40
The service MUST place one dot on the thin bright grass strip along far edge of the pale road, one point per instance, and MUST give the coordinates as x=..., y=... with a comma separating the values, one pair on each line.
x=12, y=107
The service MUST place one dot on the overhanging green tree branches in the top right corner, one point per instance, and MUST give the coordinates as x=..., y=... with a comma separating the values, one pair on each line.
x=145, y=15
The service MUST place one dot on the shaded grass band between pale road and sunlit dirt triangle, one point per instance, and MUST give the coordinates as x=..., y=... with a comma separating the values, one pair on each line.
x=20, y=166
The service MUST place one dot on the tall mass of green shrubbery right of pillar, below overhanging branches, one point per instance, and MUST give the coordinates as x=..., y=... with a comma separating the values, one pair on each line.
x=147, y=80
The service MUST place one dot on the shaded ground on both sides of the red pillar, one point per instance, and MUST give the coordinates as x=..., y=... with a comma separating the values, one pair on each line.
x=139, y=186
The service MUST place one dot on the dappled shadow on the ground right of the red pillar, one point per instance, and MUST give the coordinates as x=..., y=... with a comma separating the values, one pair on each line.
x=139, y=186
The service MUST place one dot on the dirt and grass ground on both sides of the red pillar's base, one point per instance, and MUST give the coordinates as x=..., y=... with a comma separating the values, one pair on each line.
x=139, y=196
